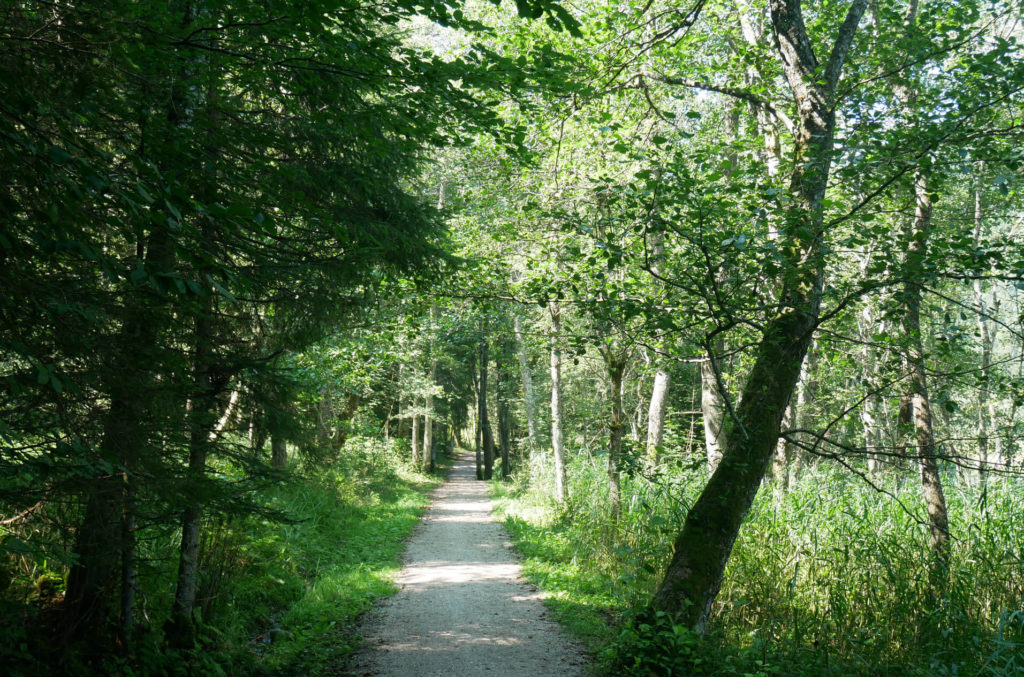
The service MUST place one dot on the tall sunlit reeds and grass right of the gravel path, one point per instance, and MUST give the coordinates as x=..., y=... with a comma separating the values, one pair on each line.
x=829, y=582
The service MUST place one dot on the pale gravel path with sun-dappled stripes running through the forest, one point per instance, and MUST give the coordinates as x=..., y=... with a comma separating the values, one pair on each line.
x=463, y=609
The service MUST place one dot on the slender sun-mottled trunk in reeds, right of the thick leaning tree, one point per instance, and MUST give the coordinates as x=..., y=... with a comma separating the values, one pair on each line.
x=931, y=481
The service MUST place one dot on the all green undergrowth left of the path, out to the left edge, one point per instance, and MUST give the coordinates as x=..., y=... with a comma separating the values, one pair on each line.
x=282, y=593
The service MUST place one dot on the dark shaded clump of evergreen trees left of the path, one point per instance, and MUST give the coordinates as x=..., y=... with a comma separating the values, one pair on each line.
x=202, y=183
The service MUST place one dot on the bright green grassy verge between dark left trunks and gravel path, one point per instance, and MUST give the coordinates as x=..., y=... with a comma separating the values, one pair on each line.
x=297, y=590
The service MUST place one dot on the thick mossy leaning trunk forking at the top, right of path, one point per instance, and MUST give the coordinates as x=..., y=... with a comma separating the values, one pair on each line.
x=704, y=545
